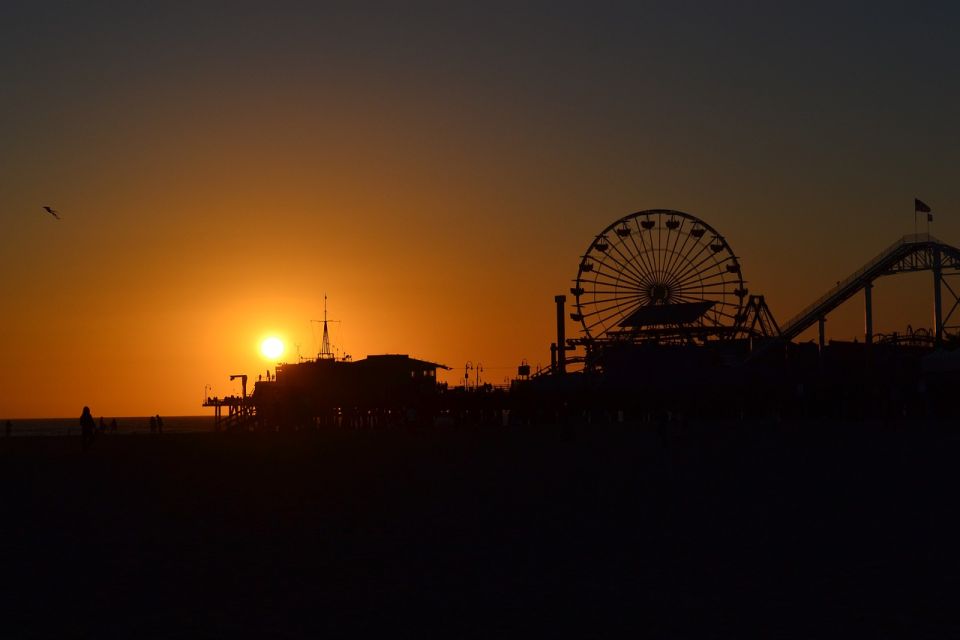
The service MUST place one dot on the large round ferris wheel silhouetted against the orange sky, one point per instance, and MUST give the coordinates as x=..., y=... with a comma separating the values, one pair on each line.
x=658, y=274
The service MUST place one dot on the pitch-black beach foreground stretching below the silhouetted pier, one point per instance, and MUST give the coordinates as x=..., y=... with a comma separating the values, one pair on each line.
x=801, y=531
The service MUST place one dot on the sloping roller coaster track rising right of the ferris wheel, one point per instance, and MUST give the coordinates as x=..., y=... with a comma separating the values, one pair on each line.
x=916, y=252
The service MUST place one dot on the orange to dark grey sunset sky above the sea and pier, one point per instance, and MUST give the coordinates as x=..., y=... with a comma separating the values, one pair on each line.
x=436, y=170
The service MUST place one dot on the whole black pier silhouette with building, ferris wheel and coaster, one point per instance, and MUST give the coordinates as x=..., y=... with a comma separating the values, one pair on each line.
x=669, y=331
